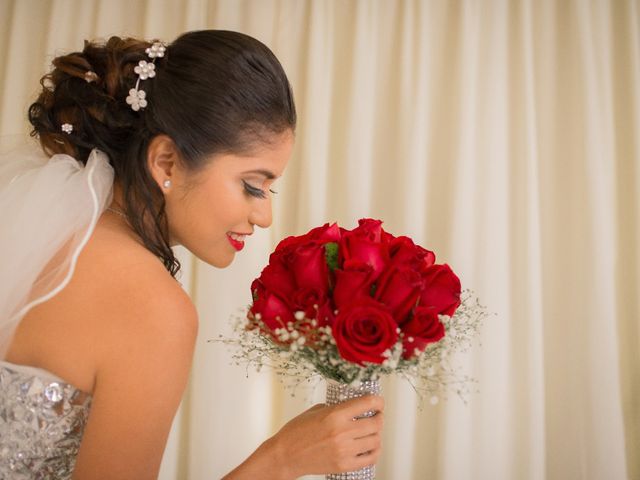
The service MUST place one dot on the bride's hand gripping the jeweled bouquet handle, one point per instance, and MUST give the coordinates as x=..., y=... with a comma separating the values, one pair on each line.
x=330, y=440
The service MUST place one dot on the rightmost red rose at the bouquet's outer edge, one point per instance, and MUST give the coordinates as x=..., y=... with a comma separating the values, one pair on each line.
x=442, y=290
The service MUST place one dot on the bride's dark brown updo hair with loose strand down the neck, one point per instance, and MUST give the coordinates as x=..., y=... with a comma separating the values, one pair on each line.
x=214, y=92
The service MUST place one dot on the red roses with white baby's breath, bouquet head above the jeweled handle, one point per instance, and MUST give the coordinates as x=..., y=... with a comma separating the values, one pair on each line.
x=354, y=305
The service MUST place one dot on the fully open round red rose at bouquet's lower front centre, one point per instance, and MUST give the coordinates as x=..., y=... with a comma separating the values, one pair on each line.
x=363, y=331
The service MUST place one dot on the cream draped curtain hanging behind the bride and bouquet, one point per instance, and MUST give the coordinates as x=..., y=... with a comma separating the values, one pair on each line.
x=503, y=135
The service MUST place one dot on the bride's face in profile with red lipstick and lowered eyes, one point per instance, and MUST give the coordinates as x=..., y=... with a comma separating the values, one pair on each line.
x=211, y=212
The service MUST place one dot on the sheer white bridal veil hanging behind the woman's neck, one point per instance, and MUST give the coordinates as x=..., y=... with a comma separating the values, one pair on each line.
x=48, y=210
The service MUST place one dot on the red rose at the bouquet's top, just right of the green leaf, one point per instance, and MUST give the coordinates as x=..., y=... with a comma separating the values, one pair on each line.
x=363, y=244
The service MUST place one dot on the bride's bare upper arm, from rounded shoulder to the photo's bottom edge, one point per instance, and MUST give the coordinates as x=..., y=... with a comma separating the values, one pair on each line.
x=142, y=368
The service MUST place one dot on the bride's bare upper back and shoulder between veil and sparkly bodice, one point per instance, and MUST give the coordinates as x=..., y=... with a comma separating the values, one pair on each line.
x=120, y=308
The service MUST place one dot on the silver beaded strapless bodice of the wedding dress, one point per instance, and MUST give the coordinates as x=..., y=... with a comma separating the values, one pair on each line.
x=42, y=419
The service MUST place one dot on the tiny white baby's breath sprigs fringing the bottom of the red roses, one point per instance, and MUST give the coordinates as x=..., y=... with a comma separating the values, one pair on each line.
x=303, y=350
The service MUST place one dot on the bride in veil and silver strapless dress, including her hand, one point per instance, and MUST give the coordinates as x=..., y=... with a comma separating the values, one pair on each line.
x=146, y=146
